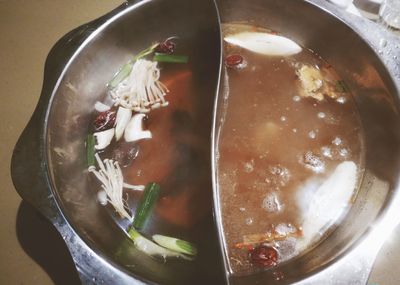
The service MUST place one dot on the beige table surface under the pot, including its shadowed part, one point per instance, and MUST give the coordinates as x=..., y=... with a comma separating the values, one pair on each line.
x=31, y=252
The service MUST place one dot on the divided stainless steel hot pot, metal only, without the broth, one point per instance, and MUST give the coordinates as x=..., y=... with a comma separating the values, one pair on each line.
x=47, y=165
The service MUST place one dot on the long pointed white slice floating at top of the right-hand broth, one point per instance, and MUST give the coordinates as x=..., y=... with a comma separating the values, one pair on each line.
x=264, y=43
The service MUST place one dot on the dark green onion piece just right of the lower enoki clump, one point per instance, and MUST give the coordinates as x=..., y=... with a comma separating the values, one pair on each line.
x=146, y=204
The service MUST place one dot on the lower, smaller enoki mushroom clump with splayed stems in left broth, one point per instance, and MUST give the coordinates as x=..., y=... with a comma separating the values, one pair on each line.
x=110, y=176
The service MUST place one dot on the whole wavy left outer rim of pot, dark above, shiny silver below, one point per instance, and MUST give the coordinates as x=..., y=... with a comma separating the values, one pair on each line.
x=28, y=163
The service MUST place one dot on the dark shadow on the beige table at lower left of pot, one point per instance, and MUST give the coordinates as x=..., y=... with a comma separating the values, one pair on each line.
x=42, y=242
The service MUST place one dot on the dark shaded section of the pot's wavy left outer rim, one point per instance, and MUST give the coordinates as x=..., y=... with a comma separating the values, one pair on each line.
x=28, y=164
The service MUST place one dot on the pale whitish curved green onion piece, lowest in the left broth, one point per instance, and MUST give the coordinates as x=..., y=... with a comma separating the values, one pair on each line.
x=150, y=248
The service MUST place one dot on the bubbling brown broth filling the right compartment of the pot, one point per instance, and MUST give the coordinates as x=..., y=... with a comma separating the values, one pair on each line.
x=283, y=157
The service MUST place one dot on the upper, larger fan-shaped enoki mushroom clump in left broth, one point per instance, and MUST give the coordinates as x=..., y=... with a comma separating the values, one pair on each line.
x=141, y=91
